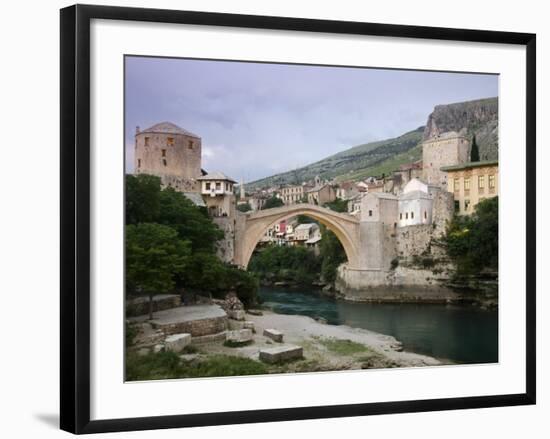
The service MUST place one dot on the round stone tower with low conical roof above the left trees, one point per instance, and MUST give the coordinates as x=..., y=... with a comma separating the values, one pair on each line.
x=171, y=153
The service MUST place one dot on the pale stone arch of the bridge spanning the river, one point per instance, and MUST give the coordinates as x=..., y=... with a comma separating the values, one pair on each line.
x=254, y=225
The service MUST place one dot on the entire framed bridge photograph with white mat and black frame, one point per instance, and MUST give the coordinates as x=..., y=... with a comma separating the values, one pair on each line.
x=274, y=218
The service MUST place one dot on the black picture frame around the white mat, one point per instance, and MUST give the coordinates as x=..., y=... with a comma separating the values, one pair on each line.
x=75, y=217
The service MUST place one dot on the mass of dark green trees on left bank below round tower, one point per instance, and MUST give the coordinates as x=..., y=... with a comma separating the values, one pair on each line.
x=172, y=223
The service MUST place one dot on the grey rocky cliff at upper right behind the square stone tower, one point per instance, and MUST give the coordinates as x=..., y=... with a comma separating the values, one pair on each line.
x=478, y=117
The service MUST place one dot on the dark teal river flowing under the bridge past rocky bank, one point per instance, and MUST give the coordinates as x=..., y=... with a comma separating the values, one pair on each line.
x=459, y=333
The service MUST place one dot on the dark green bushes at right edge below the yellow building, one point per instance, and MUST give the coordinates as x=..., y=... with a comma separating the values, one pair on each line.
x=472, y=241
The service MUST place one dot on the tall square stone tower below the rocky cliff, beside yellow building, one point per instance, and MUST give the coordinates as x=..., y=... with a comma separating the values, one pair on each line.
x=447, y=149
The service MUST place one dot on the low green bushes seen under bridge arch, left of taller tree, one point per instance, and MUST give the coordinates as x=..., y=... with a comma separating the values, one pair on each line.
x=289, y=263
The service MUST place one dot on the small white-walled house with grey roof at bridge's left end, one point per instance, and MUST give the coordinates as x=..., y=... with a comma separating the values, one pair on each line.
x=217, y=191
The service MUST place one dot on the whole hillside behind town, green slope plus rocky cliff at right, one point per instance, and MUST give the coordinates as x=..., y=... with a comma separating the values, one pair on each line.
x=479, y=117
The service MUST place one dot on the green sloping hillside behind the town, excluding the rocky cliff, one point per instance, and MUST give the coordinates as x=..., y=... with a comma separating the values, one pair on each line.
x=348, y=163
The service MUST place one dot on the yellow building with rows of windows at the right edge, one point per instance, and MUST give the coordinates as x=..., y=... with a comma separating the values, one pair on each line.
x=471, y=183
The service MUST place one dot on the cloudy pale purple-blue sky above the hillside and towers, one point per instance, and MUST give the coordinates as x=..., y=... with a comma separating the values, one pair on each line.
x=256, y=120
